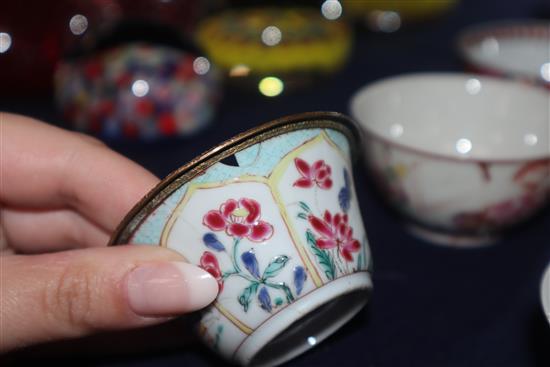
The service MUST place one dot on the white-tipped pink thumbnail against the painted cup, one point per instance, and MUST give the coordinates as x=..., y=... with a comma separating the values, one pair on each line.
x=171, y=288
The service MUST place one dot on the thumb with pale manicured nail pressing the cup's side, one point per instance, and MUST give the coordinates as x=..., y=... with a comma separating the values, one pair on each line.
x=75, y=293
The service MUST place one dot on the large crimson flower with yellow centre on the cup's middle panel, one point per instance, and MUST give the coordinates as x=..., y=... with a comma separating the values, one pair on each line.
x=239, y=219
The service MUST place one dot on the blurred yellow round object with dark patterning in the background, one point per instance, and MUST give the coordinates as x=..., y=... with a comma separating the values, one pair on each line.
x=275, y=48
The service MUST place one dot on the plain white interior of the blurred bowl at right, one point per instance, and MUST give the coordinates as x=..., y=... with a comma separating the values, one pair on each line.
x=433, y=112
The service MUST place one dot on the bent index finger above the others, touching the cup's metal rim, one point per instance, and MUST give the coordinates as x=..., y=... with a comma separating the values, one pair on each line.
x=42, y=166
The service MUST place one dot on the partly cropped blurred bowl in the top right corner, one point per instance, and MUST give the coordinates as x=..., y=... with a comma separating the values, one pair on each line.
x=513, y=49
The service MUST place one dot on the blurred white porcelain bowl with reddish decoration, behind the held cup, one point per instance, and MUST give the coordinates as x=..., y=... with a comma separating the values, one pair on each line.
x=462, y=157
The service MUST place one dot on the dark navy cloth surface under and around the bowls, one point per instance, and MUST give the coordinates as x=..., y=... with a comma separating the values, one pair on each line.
x=431, y=306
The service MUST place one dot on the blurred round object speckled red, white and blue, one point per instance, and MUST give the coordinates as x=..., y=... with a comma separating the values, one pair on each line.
x=138, y=91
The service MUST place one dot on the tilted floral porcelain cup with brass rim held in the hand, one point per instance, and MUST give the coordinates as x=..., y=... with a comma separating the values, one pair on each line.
x=272, y=214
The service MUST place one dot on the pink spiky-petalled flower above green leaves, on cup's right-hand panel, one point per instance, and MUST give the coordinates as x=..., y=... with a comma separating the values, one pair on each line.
x=335, y=232
